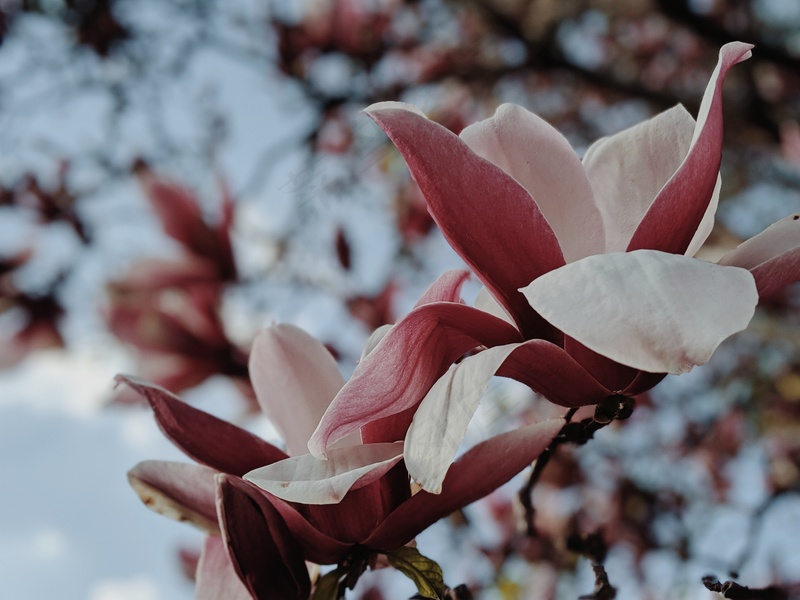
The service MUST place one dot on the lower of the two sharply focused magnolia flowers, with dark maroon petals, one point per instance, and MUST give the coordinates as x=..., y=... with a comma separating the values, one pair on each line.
x=320, y=511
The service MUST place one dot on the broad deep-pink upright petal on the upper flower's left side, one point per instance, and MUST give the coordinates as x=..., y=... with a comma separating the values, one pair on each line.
x=485, y=215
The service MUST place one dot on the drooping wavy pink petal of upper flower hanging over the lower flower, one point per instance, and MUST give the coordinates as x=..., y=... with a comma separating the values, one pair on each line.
x=399, y=372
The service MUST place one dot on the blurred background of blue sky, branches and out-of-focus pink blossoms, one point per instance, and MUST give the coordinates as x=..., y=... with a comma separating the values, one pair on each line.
x=176, y=174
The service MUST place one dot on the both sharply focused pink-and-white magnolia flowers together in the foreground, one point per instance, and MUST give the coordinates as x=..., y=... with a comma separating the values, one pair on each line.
x=591, y=291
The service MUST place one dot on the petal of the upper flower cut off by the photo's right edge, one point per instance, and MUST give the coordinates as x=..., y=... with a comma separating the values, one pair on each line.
x=773, y=256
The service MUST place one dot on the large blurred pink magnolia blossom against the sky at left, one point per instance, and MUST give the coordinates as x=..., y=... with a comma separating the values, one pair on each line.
x=169, y=308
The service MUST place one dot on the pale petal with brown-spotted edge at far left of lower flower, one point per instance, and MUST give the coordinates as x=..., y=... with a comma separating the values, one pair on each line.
x=180, y=491
